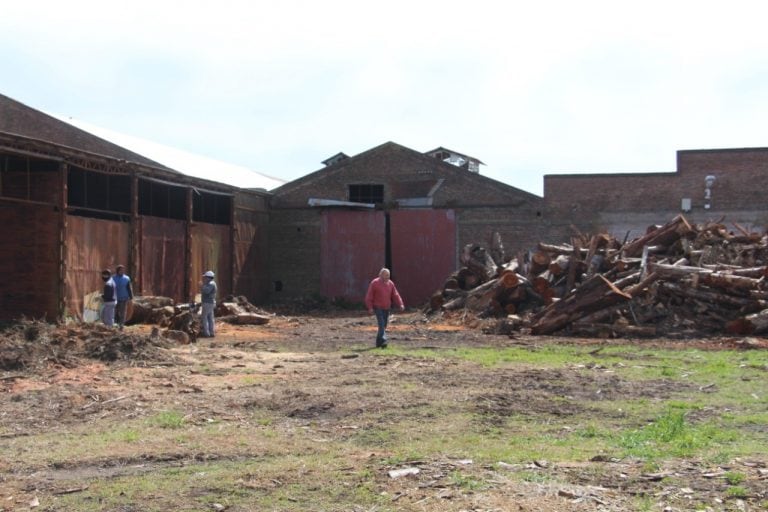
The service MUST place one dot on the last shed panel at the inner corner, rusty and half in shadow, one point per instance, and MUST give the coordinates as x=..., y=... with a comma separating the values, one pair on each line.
x=251, y=258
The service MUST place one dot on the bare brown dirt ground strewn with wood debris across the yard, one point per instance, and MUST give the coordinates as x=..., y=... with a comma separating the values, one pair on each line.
x=75, y=375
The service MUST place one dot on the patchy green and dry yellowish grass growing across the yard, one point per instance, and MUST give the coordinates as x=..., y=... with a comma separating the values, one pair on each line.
x=265, y=461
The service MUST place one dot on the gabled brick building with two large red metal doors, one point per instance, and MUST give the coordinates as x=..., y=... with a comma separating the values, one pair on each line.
x=332, y=230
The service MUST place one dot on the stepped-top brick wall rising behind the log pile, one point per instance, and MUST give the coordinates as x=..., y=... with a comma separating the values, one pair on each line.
x=625, y=204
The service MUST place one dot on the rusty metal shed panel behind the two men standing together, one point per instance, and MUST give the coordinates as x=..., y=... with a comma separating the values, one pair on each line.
x=92, y=245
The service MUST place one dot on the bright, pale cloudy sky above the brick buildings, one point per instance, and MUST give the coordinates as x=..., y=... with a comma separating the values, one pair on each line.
x=529, y=88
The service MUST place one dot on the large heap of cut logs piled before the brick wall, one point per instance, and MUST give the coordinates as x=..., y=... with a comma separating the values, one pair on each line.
x=678, y=279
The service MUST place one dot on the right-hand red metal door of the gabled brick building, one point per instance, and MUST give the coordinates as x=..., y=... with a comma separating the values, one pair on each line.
x=423, y=251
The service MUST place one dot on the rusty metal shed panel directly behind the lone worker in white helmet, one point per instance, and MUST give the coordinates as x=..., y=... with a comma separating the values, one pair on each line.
x=211, y=250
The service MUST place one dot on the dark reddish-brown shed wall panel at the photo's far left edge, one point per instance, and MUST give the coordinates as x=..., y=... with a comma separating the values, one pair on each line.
x=29, y=261
